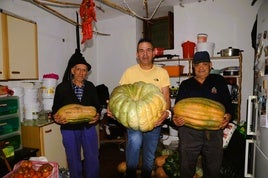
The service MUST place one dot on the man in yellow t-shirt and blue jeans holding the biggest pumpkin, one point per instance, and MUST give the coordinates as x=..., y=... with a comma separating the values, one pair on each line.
x=147, y=72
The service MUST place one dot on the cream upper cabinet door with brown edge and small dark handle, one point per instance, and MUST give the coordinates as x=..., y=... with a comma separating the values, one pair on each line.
x=22, y=48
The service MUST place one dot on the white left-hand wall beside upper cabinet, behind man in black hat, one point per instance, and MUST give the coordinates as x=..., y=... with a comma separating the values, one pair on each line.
x=56, y=38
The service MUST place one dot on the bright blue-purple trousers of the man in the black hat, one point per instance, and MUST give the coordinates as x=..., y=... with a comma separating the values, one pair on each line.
x=86, y=138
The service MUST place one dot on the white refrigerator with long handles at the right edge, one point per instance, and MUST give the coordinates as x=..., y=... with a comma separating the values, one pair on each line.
x=256, y=153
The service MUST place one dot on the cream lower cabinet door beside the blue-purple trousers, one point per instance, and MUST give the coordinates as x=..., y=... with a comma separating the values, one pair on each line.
x=52, y=144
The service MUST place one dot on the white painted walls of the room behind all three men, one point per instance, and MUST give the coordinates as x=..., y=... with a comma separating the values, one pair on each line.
x=227, y=23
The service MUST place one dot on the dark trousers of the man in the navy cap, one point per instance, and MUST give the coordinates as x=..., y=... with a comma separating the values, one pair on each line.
x=208, y=144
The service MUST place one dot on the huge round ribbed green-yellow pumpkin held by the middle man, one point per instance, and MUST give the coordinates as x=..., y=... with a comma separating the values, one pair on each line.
x=137, y=106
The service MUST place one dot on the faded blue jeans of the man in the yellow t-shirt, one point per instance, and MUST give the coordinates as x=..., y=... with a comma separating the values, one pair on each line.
x=147, y=141
